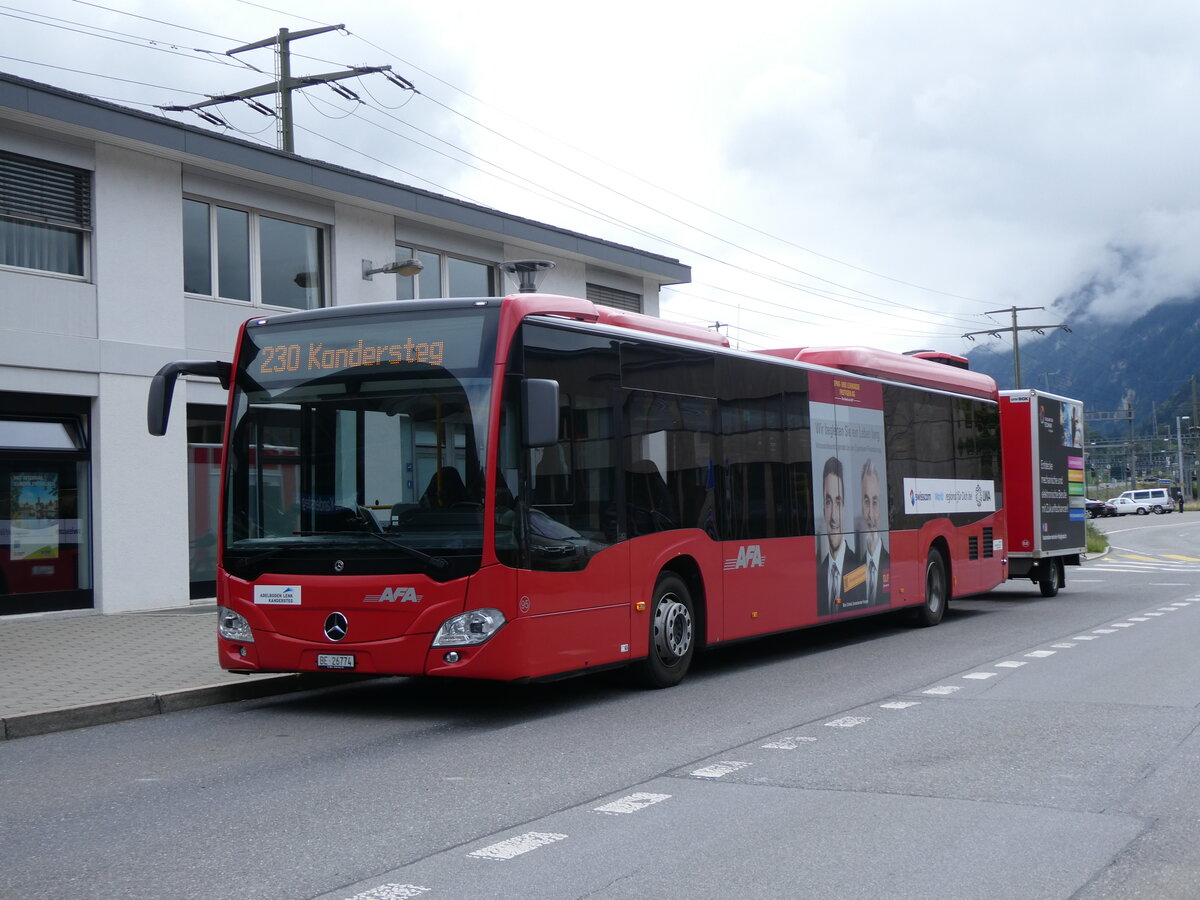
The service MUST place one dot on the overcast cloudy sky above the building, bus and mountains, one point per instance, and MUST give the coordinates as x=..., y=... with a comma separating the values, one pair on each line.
x=879, y=173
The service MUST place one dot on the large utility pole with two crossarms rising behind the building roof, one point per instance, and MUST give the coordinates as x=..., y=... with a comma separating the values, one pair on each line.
x=285, y=85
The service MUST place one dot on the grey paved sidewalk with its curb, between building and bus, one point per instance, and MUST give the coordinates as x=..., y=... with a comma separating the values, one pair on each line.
x=69, y=671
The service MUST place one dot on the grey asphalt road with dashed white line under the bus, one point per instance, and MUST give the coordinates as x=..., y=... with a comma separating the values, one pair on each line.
x=1027, y=747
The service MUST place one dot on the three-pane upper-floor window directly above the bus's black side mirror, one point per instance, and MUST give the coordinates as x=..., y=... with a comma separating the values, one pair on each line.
x=243, y=255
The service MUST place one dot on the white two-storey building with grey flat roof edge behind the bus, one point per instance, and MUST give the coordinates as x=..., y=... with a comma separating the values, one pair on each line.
x=128, y=242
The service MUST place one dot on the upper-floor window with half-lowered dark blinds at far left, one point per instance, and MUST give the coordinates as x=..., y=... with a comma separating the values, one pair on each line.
x=45, y=215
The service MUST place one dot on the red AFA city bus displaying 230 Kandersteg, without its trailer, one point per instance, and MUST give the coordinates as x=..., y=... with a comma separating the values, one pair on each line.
x=536, y=487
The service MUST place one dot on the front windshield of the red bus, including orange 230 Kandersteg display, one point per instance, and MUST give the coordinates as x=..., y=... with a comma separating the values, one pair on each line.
x=362, y=436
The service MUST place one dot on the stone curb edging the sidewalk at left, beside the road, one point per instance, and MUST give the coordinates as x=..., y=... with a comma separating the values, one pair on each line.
x=26, y=725
